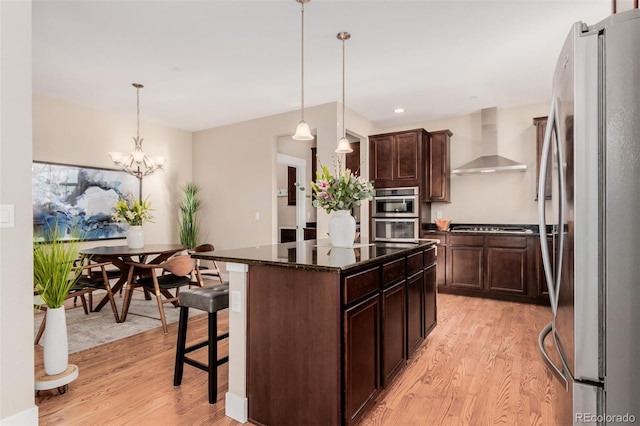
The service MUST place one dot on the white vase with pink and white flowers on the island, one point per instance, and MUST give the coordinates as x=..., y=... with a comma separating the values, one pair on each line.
x=339, y=194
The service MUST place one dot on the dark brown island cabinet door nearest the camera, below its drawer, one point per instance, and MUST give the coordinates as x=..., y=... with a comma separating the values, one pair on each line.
x=362, y=360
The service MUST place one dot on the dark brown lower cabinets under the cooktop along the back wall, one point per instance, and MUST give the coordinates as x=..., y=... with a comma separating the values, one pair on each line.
x=506, y=267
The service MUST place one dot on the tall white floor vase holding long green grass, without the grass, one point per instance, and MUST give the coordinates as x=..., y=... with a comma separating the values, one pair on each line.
x=56, y=347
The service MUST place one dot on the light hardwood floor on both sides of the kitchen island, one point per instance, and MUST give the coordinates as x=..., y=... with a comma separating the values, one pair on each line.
x=479, y=366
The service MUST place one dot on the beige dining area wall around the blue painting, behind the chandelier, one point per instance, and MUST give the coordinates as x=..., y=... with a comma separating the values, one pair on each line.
x=67, y=133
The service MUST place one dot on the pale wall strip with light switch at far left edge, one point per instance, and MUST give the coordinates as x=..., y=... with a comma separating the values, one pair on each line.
x=17, y=403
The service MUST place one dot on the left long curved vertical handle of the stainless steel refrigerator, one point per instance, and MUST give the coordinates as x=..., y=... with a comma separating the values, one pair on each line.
x=544, y=160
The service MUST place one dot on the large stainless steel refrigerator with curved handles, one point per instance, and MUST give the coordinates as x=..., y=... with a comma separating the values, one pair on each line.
x=591, y=252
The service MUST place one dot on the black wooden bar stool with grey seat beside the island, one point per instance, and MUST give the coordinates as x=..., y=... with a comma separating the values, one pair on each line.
x=211, y=300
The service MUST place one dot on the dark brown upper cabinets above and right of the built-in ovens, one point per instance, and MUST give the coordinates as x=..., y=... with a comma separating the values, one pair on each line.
x=412, y=158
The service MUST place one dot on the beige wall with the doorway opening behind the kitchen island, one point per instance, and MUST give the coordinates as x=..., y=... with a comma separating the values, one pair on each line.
x=236, y=166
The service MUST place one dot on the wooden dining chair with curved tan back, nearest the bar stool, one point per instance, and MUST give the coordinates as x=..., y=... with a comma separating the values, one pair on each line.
x=174, y=273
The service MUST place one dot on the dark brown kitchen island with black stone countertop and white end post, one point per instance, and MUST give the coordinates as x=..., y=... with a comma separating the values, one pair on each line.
x=316, y=332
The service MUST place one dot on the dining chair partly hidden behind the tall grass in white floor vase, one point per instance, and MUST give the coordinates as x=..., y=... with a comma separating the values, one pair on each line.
x=93, y=277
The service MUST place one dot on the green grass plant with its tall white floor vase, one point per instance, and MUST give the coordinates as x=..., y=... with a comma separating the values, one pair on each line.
x=53, y=276
